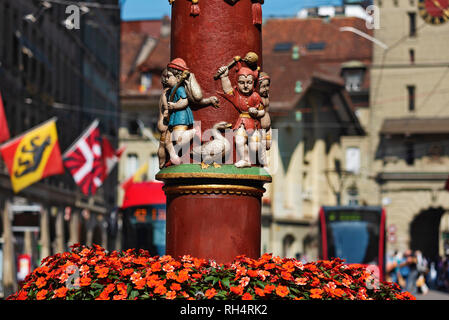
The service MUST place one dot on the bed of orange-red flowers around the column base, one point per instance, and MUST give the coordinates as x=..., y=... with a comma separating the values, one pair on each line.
x=92, y=273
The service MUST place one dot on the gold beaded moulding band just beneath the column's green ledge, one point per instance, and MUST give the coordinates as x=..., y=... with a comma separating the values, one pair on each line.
x=215, y=189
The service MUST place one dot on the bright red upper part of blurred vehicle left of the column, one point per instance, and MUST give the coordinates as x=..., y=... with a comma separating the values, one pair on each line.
x=144, y=193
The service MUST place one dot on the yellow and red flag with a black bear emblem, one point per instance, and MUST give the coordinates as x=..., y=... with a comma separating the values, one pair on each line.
x=33, y=155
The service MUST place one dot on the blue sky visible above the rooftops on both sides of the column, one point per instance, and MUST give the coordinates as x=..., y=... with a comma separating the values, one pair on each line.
x=155, y=9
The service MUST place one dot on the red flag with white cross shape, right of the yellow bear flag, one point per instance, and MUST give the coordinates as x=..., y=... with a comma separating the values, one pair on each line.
x=84, y=160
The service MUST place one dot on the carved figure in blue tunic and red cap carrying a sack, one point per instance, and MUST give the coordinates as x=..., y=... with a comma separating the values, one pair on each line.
x=183, y=89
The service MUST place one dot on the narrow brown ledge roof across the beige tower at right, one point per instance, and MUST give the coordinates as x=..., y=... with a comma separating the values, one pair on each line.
x=410, y=126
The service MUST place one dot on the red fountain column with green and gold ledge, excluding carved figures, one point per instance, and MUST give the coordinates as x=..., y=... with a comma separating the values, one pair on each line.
x=213, y=213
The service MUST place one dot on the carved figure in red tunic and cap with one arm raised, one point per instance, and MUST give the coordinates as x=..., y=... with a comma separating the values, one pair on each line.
x=249, y=104
